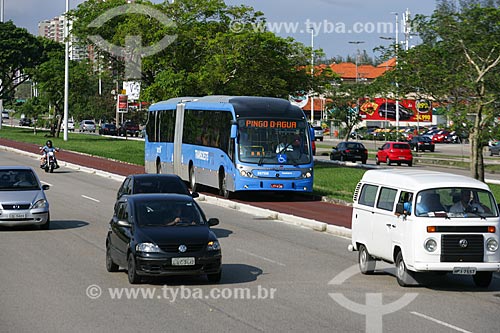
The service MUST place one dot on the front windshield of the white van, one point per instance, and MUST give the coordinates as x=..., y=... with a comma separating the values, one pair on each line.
x=455, y=202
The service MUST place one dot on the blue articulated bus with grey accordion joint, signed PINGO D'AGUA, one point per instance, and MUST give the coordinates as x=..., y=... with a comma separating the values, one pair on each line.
x=231, y=143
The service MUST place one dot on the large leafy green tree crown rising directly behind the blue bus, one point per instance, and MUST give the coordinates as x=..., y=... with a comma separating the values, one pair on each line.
x=209, y=55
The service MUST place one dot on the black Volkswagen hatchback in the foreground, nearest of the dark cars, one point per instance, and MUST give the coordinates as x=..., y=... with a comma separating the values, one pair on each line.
x=162, y=235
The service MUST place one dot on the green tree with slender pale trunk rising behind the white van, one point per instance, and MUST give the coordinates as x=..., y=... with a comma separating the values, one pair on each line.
x=458, y=64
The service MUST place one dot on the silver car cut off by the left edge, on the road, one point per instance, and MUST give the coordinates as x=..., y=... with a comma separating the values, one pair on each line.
x=22, y=198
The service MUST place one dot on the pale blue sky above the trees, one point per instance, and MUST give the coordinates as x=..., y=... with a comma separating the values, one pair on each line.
x=339, y=27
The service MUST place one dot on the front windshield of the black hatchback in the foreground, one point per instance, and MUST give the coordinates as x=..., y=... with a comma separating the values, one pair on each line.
x=167, y=213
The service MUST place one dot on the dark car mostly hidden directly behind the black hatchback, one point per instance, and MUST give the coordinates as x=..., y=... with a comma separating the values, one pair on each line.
x=153, y=183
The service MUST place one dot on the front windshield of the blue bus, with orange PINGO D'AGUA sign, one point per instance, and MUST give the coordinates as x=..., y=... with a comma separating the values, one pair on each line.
x=272, y=141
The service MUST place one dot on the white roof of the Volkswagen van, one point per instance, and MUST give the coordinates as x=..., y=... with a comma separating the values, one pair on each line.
x=416, y=180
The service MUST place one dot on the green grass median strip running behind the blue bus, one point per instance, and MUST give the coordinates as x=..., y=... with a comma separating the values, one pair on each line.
x=332, y=181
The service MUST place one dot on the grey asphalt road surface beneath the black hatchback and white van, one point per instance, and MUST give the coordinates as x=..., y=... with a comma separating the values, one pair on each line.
x=276, y=277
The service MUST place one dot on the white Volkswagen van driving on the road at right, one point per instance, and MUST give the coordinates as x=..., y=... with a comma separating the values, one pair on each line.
x=426, y=221
